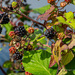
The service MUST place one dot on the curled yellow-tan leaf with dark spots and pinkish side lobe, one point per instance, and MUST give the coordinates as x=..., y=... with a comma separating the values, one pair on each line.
x=57, y=48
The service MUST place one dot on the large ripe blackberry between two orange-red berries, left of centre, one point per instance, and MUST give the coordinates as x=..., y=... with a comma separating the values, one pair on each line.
x=20, y=31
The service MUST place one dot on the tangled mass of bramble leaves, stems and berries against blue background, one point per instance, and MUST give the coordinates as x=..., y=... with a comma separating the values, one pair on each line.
x=34, y=52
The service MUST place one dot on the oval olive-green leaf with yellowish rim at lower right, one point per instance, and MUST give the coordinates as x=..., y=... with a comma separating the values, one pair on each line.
x=67, y=58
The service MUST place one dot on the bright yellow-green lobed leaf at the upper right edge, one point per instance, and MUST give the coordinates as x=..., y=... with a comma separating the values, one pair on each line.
x=70, y=21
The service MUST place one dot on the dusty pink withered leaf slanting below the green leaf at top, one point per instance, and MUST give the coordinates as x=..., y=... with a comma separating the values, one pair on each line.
x=46, y=14
